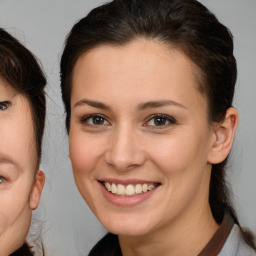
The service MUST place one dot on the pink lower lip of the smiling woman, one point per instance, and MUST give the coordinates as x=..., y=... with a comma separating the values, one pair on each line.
x=126, y=200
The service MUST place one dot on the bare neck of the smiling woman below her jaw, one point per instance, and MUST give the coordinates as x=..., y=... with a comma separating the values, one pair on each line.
x=180, y=238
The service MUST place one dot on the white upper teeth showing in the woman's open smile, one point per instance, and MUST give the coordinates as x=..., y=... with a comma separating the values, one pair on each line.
x=128, y=190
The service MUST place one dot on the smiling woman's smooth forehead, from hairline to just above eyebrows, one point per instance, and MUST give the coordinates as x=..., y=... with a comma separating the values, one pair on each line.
x=141, y=64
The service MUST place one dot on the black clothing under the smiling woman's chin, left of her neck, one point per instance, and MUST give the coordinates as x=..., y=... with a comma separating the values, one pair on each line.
x=107, y=246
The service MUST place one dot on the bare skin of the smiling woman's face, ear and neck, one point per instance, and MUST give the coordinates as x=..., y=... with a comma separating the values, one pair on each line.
x=130, y=145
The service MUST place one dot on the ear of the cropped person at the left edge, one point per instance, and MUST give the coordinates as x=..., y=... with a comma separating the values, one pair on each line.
x=36, y=191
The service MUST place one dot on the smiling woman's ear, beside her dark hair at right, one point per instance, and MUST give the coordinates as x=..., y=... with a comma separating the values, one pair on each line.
x=224, y=135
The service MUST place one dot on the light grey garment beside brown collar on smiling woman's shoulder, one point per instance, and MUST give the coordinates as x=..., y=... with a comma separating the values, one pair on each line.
x=235, y=245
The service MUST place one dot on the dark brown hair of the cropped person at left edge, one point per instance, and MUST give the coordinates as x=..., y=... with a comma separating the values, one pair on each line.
x=20, y=70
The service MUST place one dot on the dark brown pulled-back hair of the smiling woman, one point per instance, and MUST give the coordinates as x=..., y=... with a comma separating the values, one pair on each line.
x=186, y=25
